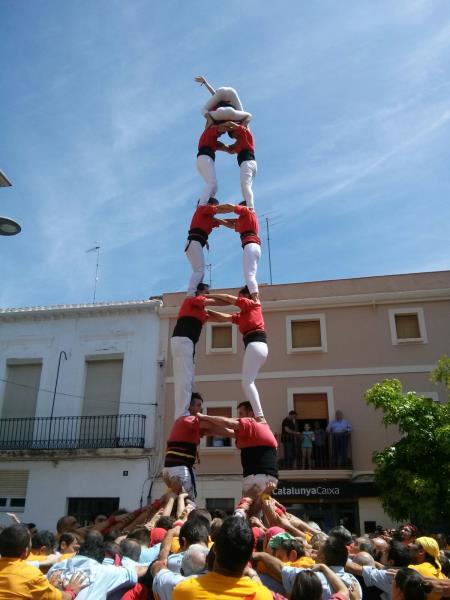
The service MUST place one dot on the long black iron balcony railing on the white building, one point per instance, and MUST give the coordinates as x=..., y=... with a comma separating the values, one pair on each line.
x=70, y=433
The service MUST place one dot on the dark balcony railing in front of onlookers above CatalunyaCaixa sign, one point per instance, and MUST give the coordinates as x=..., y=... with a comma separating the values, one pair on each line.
x=335, y=452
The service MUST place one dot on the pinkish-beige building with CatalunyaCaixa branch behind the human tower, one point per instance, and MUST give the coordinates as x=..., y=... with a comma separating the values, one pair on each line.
x=329, y=341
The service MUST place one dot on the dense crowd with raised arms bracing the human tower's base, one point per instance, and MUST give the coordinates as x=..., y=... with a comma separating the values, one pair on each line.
x=172, y=549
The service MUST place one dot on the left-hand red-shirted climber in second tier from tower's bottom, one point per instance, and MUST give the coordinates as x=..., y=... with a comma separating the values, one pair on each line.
x=191, y=317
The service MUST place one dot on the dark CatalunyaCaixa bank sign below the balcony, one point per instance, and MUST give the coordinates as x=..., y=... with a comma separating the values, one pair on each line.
x=329, y=489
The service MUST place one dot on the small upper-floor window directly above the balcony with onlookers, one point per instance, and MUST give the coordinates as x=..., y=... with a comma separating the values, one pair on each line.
x=306, y=333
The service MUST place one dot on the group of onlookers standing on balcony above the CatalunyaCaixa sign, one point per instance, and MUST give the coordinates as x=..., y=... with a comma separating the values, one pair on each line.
x=308, y=445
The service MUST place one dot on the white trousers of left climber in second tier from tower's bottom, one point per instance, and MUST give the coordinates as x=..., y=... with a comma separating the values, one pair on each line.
x=183, y=372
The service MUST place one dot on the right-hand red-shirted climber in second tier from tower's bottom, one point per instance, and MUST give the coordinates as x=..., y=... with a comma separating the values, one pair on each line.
x=251, y=325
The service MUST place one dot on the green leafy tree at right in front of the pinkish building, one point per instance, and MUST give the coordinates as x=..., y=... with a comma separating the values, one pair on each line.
x=413, y=475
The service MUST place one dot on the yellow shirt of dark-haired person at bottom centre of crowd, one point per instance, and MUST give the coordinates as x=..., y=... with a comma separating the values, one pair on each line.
x=219, y=587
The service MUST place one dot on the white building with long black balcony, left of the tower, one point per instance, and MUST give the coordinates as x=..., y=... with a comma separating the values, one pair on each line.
x=91, y=445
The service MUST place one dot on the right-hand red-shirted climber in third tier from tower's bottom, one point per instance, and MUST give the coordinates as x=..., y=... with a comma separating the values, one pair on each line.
x=248, y=228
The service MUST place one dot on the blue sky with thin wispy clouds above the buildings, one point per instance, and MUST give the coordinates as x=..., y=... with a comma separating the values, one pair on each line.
x=101, y=116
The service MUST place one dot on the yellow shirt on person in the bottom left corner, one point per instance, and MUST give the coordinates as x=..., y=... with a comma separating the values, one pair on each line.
x=21, y=580
